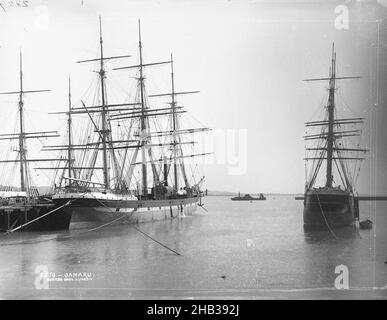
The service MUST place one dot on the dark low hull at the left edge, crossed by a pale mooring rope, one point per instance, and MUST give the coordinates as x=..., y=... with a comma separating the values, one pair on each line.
x=12, y=217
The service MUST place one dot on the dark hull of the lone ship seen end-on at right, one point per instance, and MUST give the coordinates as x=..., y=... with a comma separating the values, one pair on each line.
x=326, y=209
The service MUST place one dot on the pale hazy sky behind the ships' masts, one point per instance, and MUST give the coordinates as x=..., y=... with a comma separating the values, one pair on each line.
x=247, y=58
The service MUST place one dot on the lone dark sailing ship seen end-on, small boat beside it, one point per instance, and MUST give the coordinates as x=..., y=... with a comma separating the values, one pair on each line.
x=334, y=204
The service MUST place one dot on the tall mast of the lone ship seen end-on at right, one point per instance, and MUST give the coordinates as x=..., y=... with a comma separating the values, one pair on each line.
x=331, y=118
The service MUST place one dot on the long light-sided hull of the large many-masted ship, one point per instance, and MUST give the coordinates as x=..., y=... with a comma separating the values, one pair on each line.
x=127, y=211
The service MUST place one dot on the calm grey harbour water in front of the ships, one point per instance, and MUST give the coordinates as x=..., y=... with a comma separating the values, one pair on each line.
x=236, y=250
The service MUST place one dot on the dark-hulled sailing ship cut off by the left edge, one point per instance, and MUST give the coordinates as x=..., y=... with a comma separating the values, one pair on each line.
x=22, y=208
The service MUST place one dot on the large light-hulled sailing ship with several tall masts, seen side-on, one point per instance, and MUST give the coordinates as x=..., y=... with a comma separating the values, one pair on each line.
x=142, y=174
